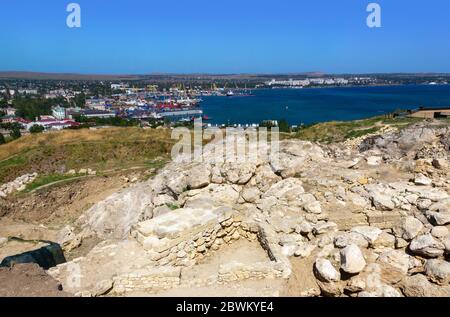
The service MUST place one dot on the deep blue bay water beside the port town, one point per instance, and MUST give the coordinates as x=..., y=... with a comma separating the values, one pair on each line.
x=322, y=104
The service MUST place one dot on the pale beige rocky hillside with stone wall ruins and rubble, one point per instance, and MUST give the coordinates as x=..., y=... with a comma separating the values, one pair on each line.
x=375, y=208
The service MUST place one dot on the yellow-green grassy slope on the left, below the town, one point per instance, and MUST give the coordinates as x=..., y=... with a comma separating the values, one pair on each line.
x=100, y=150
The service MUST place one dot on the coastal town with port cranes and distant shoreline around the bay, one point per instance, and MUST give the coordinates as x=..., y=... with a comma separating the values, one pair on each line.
x=45, y=105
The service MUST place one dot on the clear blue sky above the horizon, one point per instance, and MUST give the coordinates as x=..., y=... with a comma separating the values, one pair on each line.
x=208, y=36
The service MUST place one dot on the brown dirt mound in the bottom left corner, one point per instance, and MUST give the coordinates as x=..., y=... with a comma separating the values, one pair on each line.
x=28, y=280
